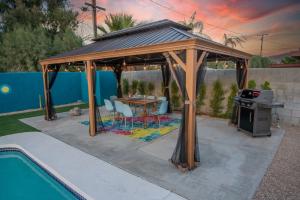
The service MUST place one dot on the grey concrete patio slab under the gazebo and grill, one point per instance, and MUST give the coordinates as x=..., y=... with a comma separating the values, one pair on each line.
x=232, y=163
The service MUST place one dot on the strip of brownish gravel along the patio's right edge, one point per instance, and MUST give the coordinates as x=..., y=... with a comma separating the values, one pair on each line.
x=282, y=180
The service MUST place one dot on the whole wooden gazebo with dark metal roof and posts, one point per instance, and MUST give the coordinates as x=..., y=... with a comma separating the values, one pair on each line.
x=163, y=42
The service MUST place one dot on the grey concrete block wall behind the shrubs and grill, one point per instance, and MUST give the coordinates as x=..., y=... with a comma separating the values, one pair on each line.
x=285, y=83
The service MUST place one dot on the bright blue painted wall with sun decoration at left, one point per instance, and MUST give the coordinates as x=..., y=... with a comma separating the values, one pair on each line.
x=25, y=89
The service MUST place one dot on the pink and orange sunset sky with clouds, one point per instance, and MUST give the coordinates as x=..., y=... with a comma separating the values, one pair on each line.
x=280, y=19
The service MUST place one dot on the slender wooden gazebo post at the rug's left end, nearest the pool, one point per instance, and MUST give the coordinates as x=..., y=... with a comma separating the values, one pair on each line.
x=90, y=79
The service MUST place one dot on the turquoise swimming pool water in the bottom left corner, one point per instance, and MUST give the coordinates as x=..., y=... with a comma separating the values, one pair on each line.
x=22, y=179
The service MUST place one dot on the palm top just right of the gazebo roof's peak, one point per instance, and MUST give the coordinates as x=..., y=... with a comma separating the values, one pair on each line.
x=197, y=26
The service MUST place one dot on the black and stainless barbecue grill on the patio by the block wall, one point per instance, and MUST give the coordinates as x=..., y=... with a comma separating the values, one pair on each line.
x=255, y=111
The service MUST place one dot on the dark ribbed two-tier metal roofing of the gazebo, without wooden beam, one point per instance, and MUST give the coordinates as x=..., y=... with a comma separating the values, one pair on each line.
x=159, y=32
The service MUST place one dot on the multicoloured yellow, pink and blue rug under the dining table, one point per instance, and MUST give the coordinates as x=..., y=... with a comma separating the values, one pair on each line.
x=167, y=124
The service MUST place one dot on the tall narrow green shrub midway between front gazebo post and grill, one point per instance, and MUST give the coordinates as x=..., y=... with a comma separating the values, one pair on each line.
x=217, y=99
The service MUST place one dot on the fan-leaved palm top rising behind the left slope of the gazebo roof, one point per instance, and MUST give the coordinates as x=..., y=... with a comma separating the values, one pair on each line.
x=115, y=22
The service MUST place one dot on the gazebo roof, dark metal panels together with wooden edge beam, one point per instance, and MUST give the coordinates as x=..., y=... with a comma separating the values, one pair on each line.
x=147, y=35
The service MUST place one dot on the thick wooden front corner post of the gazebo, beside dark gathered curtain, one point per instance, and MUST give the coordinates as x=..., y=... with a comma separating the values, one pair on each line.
x=191, y=79
